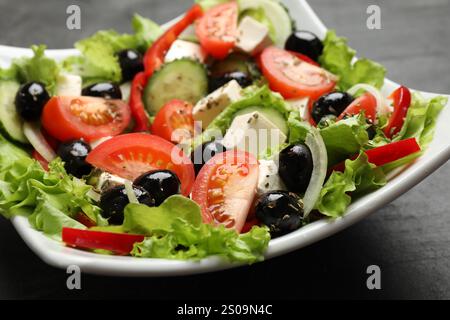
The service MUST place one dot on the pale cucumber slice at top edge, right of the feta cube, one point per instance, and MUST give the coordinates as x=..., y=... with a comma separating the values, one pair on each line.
x=275, y=17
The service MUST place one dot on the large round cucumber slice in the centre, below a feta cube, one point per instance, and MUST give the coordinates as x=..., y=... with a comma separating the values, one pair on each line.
x=182, y=79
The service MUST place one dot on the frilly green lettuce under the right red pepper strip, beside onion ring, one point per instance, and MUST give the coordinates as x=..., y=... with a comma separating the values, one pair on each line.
x=360, y=177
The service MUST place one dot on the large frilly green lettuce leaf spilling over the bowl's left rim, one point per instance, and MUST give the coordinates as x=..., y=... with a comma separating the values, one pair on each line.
x=51, y=200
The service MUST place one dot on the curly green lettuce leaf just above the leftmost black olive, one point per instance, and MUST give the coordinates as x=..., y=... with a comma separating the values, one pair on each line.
x=37, y=68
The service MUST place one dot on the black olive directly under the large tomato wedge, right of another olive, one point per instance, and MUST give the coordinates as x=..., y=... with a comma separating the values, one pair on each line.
x=161, y=184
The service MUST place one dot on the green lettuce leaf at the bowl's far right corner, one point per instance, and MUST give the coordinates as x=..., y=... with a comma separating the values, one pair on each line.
x=421, y=119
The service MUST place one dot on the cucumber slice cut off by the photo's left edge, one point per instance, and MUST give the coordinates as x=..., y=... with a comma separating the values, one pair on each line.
x=10, y=121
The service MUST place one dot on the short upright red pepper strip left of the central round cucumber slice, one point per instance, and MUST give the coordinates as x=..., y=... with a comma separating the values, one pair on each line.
x=141, y=121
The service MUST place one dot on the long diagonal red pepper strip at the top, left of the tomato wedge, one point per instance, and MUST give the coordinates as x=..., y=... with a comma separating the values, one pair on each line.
x=154, y=57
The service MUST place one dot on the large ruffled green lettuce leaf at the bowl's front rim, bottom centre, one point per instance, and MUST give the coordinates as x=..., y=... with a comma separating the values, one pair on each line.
x=175, y=230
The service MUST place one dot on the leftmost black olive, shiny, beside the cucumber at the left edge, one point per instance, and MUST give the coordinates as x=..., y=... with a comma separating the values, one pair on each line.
x=30, y=100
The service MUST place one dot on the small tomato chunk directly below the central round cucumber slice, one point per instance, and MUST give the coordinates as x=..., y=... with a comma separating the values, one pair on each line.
x=174, y=122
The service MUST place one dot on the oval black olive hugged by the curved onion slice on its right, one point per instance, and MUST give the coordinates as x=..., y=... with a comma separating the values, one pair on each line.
x=295, y=167
